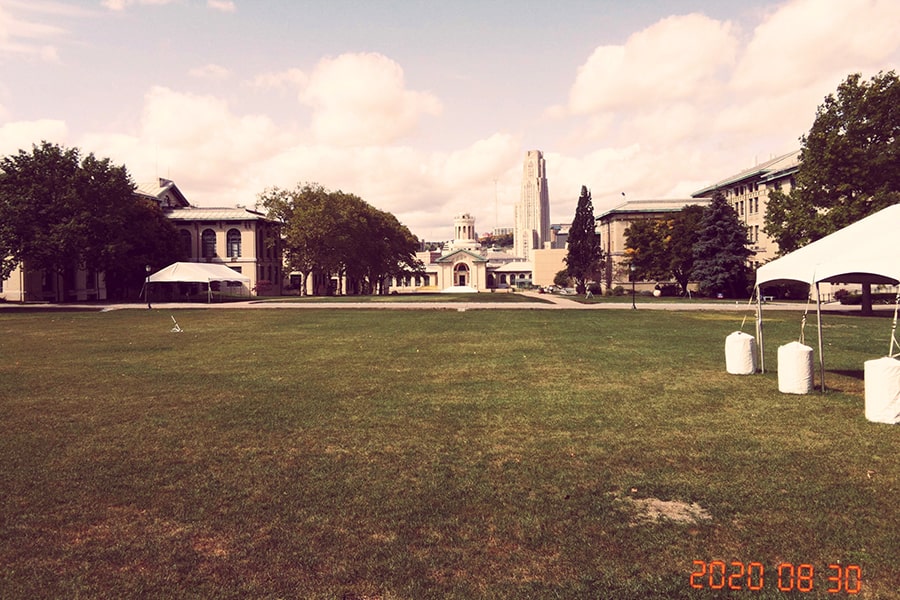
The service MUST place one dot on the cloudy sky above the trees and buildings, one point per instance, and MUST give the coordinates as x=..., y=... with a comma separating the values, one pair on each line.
x=426, y=108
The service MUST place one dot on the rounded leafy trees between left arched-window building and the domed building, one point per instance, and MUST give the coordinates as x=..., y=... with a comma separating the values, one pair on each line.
x=339, y=234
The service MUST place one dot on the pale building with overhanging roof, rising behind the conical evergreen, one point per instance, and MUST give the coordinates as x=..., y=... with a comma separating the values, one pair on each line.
x=748, y=193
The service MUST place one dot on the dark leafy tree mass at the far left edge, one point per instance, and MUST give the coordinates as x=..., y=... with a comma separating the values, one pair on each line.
x=61, y=212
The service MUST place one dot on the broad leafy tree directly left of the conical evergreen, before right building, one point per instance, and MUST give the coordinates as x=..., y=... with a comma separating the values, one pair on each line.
x=663, y=249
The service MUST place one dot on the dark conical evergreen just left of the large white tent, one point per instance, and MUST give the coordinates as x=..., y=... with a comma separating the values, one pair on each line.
x=721, y=251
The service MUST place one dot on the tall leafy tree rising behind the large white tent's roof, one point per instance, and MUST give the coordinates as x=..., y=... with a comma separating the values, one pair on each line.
x=849, y=163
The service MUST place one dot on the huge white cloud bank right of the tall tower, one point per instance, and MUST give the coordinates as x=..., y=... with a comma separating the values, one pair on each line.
x=690, y=99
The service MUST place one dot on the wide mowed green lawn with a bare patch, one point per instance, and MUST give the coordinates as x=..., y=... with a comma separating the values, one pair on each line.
x=388, y=454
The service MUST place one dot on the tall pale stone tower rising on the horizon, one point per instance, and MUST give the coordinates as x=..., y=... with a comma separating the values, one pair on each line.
x=533, y=209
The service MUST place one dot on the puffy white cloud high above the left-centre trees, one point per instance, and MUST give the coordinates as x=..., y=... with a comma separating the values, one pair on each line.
x=361, y=99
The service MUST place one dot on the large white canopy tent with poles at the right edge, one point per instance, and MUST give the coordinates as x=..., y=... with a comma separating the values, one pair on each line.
x=865, y=252
